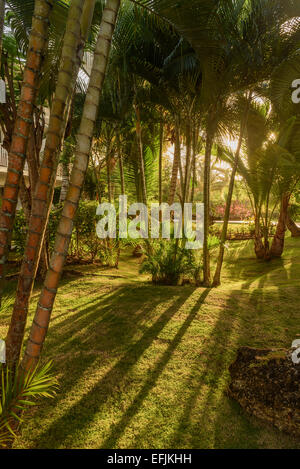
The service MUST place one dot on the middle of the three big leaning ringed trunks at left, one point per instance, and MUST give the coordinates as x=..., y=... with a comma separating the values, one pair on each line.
x=44, y=190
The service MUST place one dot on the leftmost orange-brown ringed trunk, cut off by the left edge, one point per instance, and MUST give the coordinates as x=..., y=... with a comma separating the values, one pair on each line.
x=36, y=51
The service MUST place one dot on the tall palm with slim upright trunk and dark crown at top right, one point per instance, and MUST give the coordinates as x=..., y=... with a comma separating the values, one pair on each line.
x=214, y=30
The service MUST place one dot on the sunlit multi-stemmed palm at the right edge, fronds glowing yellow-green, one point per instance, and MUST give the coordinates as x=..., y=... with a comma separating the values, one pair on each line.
x=270, y=171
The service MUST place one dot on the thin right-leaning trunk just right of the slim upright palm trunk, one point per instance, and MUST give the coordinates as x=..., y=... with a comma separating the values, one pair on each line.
x=217, y=276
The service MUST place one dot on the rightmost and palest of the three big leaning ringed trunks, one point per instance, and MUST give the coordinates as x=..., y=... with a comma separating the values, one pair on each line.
x=84, y=141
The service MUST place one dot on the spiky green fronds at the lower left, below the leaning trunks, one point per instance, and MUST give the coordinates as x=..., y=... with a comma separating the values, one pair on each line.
x=17, y=392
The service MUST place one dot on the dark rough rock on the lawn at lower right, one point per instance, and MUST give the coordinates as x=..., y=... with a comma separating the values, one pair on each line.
x=266, y=383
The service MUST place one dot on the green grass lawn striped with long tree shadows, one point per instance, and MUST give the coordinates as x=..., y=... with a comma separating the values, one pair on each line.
x=141, y=366
